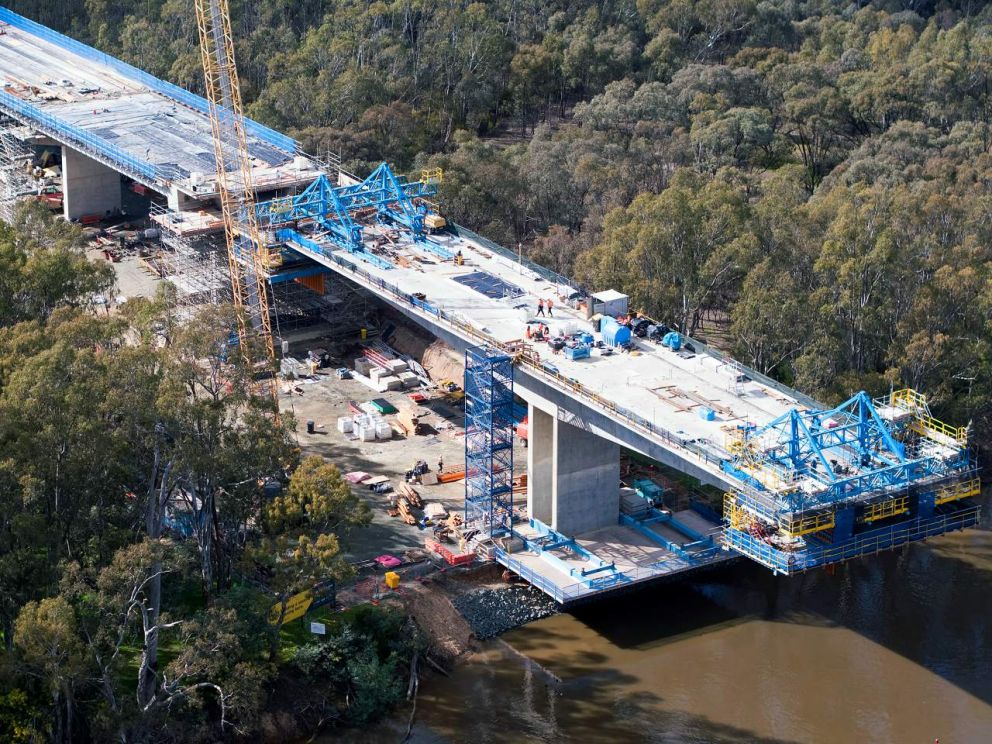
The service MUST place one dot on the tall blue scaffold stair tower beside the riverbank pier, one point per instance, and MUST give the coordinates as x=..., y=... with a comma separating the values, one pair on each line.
x=488, y=441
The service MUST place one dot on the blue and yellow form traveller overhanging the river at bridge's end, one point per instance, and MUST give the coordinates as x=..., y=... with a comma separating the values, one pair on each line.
x=823, y=486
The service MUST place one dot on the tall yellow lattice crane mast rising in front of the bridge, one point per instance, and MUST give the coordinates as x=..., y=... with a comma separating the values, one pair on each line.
x=248, y=256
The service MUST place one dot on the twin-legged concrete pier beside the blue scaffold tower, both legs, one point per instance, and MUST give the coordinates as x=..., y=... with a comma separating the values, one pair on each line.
x=573, y=476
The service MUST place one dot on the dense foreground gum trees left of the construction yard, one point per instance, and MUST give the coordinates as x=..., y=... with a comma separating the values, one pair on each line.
x=141, y=546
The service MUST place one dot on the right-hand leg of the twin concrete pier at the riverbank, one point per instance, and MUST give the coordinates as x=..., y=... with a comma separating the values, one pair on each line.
x=586, y=492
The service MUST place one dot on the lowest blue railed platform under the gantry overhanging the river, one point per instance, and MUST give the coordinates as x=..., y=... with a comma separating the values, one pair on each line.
x=786, y=562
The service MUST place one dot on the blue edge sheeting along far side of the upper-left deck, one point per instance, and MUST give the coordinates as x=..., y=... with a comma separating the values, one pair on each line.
x=161, y=87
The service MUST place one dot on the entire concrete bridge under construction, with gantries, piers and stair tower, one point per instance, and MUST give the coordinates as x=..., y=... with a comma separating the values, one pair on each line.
x=806, y=484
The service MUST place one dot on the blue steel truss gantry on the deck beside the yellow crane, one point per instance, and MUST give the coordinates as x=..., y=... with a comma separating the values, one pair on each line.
x=324, y=216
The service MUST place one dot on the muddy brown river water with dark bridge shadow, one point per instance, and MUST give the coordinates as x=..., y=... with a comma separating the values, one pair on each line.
x=891, y=648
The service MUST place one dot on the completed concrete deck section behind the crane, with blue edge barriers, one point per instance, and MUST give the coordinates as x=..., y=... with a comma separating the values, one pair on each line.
x=126, y=119
